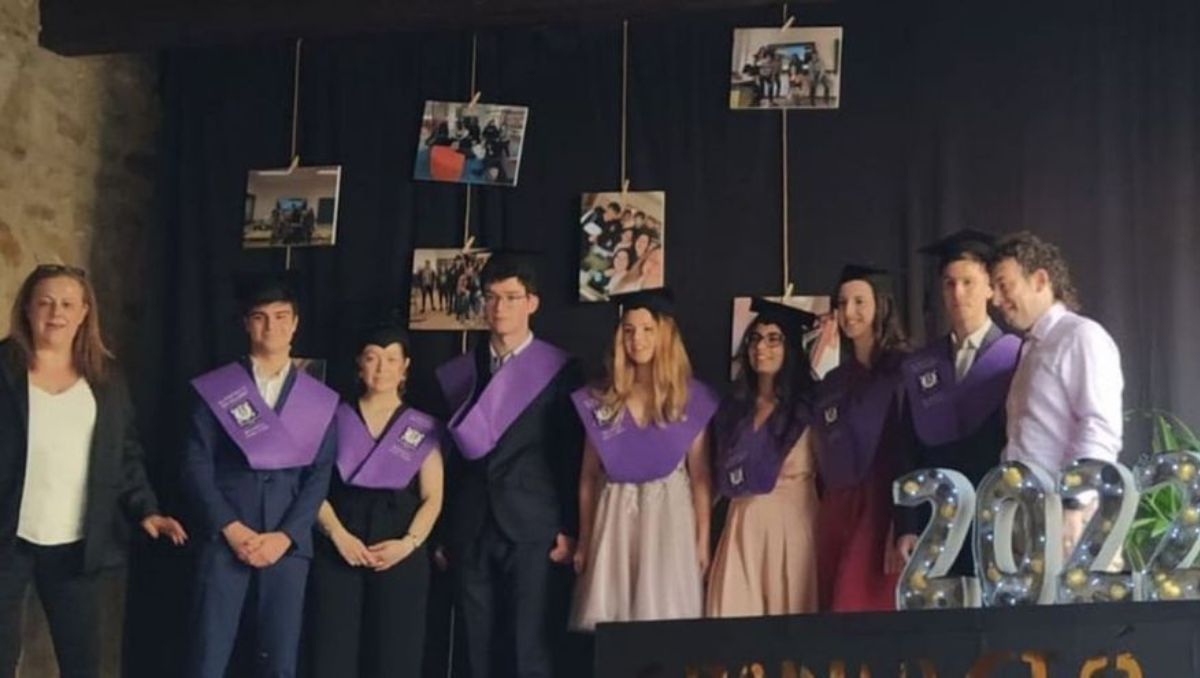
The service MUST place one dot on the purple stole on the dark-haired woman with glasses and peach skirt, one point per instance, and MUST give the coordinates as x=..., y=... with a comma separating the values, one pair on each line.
x=748, y=461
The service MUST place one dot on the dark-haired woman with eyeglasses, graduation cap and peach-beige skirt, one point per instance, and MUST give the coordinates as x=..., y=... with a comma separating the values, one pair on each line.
x=766, y=559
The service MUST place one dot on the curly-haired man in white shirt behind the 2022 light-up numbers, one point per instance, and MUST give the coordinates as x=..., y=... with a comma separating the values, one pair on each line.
x=1065, y=403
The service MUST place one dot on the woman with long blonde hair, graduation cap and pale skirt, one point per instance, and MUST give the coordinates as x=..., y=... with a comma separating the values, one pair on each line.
x=645, y=488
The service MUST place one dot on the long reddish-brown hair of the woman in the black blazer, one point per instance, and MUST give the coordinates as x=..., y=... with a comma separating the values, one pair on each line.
x=89, y=356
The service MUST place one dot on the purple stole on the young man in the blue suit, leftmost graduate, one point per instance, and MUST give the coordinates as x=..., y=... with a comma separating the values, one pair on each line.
x=289, y=440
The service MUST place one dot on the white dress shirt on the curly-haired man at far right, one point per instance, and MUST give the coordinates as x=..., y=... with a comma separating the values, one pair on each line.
x=1065, y=403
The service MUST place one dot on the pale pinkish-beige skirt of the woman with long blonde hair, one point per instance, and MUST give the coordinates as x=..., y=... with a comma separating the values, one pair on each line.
x=643, y=562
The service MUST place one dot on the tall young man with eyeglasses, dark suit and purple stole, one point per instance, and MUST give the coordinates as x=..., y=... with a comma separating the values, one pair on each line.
x=512, y=491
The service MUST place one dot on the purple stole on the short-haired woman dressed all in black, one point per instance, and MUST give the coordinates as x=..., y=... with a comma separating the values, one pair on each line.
x=392, y=461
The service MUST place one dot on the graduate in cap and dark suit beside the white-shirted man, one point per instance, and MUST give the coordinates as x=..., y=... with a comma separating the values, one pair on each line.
x=956, y=387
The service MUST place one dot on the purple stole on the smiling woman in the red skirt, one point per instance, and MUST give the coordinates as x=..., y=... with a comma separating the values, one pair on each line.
x=851, y=409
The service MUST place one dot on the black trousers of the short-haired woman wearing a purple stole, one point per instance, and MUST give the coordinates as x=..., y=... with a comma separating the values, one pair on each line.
x=365, y=623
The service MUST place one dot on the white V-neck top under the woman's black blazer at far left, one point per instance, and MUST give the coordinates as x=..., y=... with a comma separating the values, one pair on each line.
x=55, y=502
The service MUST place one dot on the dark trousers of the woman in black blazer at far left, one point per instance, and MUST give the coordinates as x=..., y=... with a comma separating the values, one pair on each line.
x=71, y=601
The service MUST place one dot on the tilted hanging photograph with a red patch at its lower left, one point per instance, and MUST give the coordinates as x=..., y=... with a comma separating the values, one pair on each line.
x=471, y=145
